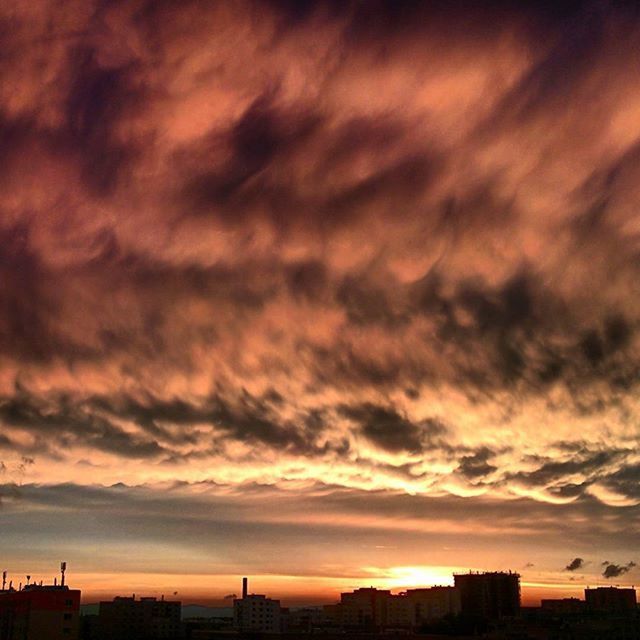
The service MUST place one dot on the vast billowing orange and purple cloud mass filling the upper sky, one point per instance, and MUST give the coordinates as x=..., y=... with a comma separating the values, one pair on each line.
x=332, y=227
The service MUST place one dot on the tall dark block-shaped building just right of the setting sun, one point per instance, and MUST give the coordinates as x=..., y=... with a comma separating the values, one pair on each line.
x=490, y=595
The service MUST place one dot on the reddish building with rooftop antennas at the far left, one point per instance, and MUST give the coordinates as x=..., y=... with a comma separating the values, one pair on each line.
x=39, y=611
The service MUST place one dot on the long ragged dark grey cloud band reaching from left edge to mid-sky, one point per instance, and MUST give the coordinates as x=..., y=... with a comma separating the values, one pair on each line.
x=166, y=426
